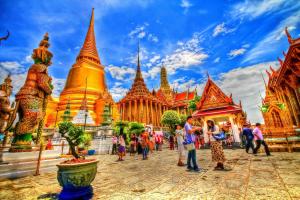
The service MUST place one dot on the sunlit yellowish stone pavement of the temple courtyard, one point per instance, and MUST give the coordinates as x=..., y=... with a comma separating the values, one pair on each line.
x=251, y=177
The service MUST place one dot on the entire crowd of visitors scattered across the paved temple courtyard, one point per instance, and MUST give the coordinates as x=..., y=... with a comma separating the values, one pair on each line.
x=186, y=140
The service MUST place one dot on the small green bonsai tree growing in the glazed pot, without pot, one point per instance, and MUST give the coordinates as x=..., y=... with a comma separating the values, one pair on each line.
x=74, y=135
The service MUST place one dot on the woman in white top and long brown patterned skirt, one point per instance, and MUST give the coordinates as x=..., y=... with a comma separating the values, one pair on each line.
x=217, y=152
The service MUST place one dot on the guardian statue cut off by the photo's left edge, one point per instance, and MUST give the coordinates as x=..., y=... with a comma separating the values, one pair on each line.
x=6, y=110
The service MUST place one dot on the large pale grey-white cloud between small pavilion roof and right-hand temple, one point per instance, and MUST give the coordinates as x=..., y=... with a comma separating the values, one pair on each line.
x=246, y=84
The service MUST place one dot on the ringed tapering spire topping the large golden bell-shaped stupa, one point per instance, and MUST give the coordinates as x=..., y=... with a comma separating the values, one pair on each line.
x=89, y=49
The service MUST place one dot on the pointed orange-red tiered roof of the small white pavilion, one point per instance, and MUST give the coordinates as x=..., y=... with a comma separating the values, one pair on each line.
x=214, y=101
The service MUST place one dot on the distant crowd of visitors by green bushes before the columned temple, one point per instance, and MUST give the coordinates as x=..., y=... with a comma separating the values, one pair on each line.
x=141, y=144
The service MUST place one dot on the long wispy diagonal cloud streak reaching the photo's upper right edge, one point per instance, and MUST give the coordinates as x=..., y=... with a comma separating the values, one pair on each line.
x=269, y=43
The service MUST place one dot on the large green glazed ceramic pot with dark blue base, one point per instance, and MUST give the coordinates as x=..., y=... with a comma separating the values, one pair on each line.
x=76, y=178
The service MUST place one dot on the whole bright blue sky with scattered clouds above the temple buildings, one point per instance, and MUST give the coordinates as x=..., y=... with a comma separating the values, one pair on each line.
x=233, y=40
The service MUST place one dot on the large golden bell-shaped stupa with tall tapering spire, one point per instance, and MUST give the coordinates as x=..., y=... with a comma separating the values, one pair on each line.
x=86, y=76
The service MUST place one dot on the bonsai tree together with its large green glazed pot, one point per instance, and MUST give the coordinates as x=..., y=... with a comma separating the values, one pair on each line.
x=75, y=175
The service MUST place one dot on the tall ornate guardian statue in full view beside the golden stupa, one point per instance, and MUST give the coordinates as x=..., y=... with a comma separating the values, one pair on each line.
x=32, y=98
